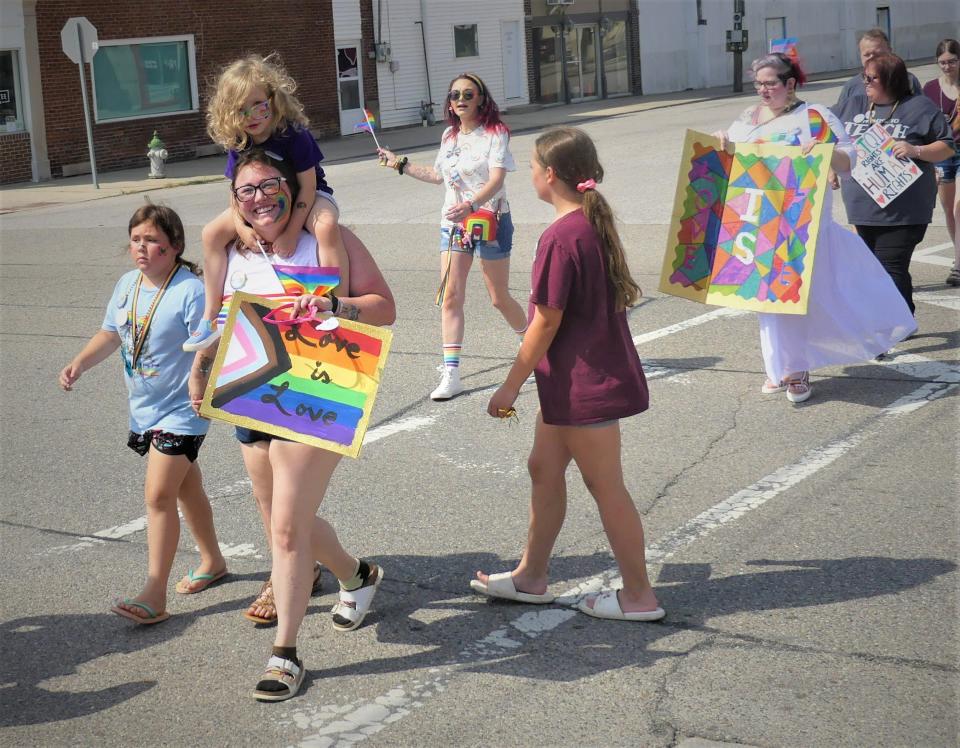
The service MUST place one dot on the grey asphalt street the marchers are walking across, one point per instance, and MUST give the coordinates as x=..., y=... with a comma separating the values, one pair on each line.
x=807, y=555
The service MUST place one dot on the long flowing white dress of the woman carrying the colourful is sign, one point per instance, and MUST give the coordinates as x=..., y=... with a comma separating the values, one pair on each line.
x=854, y=311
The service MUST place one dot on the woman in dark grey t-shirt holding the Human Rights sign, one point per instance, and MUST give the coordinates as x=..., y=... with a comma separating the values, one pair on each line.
x=922, y=134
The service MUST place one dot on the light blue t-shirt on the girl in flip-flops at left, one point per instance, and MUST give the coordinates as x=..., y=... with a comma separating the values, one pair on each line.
x=158, y=386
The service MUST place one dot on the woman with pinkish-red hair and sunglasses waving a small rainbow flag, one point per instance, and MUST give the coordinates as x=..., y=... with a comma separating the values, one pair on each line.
x=472, y=164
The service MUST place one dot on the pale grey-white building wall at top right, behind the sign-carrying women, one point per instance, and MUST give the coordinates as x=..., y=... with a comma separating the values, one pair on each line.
x=677, y=53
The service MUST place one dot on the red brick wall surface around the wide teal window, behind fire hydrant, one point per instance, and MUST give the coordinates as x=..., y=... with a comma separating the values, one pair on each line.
x=301, y=31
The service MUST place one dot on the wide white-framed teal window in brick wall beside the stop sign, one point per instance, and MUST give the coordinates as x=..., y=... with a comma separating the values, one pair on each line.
x=135, y=78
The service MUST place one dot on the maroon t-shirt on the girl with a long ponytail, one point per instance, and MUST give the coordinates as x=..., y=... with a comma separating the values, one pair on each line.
x=591, y=372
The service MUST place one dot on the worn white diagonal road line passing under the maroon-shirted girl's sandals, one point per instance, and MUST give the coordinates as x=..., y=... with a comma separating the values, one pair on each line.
x=347, y=724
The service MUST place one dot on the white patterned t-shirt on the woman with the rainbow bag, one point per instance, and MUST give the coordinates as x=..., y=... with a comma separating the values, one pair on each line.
x=465, y=161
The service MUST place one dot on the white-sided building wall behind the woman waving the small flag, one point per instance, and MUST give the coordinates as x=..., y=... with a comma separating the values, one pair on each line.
x=404, y=87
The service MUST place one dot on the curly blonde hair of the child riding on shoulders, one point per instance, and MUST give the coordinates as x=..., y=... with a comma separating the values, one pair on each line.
x=225, y=123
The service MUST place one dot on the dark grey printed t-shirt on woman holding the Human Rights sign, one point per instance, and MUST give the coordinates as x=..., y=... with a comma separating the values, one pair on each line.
x=918, y=121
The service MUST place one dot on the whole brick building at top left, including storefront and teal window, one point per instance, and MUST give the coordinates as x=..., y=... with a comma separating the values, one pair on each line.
x=153, y=70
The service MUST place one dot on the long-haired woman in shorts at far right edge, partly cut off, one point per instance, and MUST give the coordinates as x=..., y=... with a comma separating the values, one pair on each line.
x=944, y=92
